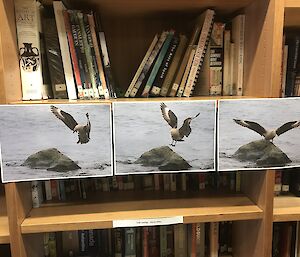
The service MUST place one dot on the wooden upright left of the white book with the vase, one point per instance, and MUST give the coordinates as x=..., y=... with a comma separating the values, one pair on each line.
x=10, y=82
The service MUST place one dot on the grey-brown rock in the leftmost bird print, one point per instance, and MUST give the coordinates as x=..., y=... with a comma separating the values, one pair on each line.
x=50, y=159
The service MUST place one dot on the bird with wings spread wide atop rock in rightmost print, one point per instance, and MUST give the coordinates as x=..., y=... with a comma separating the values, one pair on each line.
x=270, y=134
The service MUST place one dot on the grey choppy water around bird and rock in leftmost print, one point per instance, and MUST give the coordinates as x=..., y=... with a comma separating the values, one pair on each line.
x=28, y=129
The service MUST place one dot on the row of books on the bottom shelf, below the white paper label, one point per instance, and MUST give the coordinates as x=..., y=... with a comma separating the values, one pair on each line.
x=192, y=240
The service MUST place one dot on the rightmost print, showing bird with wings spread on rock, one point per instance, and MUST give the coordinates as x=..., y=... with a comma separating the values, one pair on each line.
x=259, y=133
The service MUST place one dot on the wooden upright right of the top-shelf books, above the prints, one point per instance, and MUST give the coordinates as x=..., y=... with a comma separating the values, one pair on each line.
x=263, y=43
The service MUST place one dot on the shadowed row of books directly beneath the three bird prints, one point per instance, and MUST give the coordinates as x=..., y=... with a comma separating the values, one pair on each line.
x=76, y=189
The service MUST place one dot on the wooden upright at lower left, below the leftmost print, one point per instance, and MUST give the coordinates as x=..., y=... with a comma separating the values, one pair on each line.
x=18, y=198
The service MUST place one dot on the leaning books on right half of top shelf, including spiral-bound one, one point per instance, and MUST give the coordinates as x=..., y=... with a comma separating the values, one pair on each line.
x=210, y=63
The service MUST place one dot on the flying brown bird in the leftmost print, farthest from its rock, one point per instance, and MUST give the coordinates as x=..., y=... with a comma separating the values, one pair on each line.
x=83, y=131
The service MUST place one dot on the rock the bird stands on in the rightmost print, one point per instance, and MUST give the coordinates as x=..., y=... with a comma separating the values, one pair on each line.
x=263, y=153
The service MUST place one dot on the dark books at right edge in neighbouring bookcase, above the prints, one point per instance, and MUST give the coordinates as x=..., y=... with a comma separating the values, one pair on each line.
x=290, y=75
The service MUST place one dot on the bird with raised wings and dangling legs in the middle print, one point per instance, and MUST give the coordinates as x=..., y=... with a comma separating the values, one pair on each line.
x=177, y=134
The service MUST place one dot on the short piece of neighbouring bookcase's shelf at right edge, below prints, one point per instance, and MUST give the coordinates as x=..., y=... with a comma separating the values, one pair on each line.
x=286, y=208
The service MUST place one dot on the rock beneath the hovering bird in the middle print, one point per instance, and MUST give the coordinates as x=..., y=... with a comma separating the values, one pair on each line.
x=164, y=158
